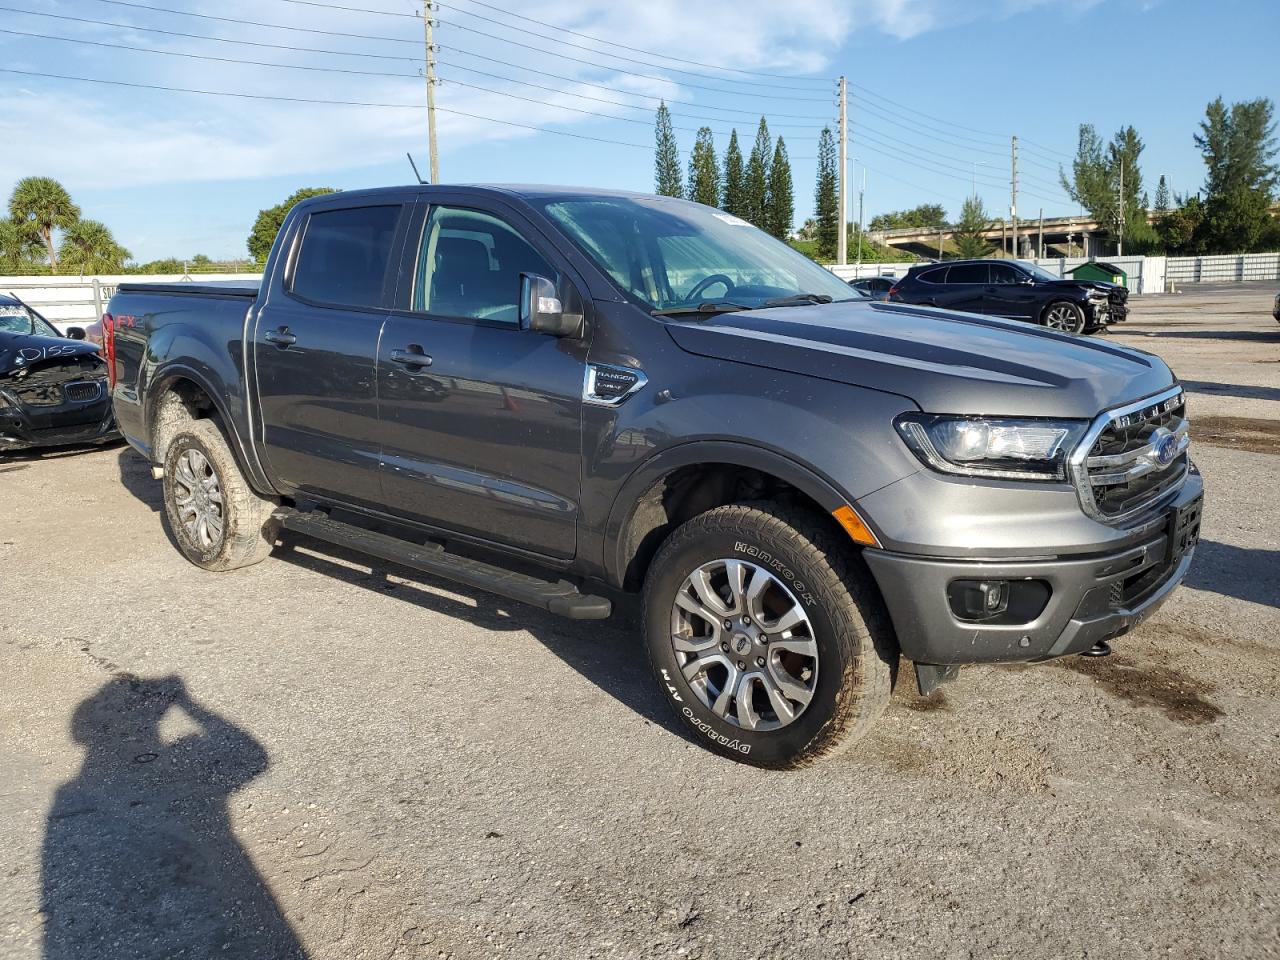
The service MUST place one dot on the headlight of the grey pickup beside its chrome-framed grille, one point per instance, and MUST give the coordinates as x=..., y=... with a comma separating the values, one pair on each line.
x=1007, y=449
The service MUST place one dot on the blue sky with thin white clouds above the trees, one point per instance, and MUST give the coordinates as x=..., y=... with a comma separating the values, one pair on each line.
x=938, y=89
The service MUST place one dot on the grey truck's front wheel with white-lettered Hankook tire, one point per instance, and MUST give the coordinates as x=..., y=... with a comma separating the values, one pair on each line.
x=769, y=638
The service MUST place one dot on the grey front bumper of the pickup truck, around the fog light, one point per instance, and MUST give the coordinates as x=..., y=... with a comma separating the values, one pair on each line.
x=1090, y=598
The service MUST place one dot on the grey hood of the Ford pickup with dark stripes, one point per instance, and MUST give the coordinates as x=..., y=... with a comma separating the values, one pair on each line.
x=947, y=363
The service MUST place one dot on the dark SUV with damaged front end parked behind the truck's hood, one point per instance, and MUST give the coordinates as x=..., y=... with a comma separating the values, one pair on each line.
x=1016, y=290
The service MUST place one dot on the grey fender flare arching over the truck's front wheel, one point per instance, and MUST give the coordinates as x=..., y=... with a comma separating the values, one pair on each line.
x=708, y=452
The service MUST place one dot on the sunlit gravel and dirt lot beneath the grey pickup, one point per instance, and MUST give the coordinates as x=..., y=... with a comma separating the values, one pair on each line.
x=344, y=762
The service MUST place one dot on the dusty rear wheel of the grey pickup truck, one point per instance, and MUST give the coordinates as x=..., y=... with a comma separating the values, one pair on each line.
x=216, y=516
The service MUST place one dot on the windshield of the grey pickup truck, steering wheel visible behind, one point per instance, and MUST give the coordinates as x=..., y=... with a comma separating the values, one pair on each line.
x=668, y=254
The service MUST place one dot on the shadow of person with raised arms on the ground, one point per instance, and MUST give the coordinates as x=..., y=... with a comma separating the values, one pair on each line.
x=140, y=860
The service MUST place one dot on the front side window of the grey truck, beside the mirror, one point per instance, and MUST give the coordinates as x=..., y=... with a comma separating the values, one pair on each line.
x=469, y=264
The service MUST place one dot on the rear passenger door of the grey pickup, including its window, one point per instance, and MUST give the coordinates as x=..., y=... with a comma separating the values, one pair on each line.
x=316, y=350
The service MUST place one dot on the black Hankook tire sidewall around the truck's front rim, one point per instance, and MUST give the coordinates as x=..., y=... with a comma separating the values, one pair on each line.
x=807, y=583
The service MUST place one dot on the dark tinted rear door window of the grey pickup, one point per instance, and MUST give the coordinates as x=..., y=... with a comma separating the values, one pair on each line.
x=345, y=257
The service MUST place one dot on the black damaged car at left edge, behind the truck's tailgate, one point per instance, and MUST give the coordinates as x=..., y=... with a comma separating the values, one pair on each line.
x=53, y=388
